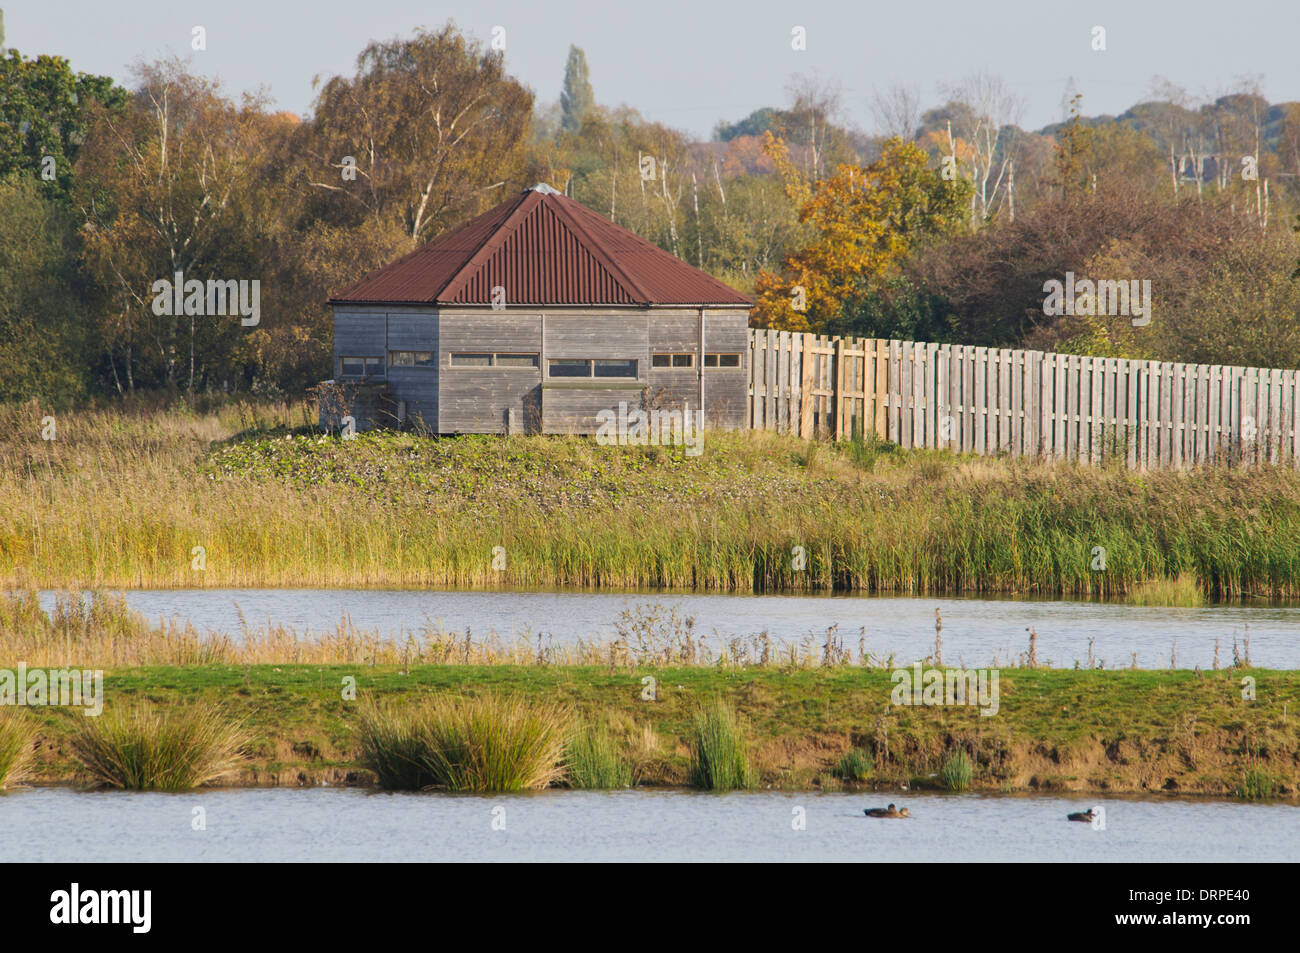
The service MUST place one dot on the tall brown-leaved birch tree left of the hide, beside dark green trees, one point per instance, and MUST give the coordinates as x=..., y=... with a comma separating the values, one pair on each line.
x=158, y=187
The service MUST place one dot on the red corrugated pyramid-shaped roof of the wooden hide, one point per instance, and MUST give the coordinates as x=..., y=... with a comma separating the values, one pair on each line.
x=543, y=249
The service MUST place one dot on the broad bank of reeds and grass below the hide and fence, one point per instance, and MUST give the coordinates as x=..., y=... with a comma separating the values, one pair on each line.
x=250, y=496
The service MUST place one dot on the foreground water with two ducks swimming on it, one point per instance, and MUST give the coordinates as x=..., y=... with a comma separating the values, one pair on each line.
x=352, y=825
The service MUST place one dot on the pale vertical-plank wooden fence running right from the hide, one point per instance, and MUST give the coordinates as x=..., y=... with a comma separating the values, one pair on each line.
x=1024, y=404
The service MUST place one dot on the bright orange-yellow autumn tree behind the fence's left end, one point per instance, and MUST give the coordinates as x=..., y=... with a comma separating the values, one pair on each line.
x=864, y=223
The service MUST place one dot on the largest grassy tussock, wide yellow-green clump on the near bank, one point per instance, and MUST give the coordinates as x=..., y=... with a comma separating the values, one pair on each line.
x=488, y=744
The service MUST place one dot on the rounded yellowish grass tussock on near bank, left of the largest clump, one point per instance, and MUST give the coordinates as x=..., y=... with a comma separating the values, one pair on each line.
x=144, y=748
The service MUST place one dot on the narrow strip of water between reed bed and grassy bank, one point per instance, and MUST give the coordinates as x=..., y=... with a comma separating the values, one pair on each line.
x=976, y=631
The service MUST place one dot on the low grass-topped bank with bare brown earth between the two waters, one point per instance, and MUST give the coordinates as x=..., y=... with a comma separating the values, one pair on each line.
x=1056, y=731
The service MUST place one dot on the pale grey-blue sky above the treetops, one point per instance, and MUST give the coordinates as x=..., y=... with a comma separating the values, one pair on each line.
x=692, y=63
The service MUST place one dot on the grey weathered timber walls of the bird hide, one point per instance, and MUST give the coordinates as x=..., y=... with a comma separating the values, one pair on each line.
x=447, y=398
